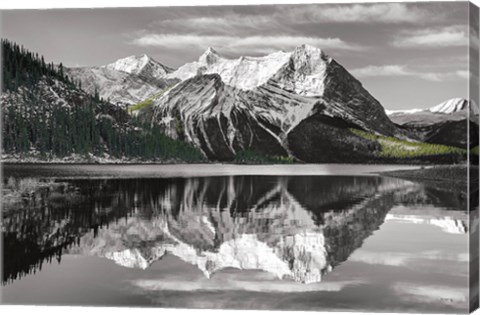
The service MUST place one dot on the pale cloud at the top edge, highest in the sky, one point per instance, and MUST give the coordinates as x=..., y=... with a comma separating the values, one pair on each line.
x=360, y=13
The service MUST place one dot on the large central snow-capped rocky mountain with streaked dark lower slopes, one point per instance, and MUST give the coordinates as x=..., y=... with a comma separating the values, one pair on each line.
x=270, y=105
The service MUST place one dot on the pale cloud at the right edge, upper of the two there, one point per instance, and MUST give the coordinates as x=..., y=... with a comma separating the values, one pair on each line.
x=452, y=36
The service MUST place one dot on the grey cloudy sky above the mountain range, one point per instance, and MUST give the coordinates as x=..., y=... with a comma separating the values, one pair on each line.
x=407, y=55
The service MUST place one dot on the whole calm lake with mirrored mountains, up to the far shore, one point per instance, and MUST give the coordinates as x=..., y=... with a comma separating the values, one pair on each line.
x=289, y=237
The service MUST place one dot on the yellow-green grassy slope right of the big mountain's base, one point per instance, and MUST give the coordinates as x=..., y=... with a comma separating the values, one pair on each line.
x=396, y=148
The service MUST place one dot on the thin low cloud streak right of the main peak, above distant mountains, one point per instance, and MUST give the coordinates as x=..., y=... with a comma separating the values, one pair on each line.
x=402, y=71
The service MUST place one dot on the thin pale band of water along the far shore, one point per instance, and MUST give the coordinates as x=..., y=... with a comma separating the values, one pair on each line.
x=197, y=170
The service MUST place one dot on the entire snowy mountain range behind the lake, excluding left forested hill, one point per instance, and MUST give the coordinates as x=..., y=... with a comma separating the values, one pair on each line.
x=286, y=106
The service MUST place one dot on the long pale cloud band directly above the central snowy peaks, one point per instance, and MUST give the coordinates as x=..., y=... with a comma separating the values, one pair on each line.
x=237, y=44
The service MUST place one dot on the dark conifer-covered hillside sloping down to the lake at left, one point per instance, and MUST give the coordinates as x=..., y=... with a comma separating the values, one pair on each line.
x=32, y=123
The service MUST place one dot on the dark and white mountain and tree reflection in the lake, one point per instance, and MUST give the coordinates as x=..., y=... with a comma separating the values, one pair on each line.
x=295, y=227
